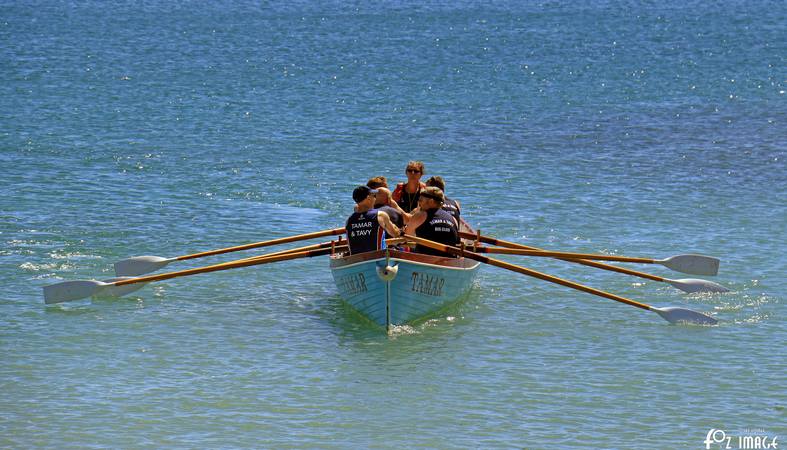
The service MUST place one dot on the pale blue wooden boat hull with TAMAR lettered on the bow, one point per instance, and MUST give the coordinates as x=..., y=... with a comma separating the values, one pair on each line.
x=392, y=287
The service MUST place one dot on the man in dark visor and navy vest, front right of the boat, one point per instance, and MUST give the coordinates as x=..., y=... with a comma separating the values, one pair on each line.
x=433, y=223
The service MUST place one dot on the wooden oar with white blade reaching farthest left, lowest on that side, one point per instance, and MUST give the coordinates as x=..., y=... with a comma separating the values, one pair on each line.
x=74, y=290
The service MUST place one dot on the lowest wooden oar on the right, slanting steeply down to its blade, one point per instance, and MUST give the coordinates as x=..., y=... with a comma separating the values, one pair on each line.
x=670, y=314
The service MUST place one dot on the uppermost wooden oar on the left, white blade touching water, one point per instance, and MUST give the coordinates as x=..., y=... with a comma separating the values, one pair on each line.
x=140, y=265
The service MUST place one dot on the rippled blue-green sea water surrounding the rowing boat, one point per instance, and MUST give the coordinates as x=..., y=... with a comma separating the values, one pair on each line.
x=163, y=128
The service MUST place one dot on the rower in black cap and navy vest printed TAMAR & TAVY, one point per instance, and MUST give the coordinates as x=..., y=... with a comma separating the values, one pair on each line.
x=365, y=226
